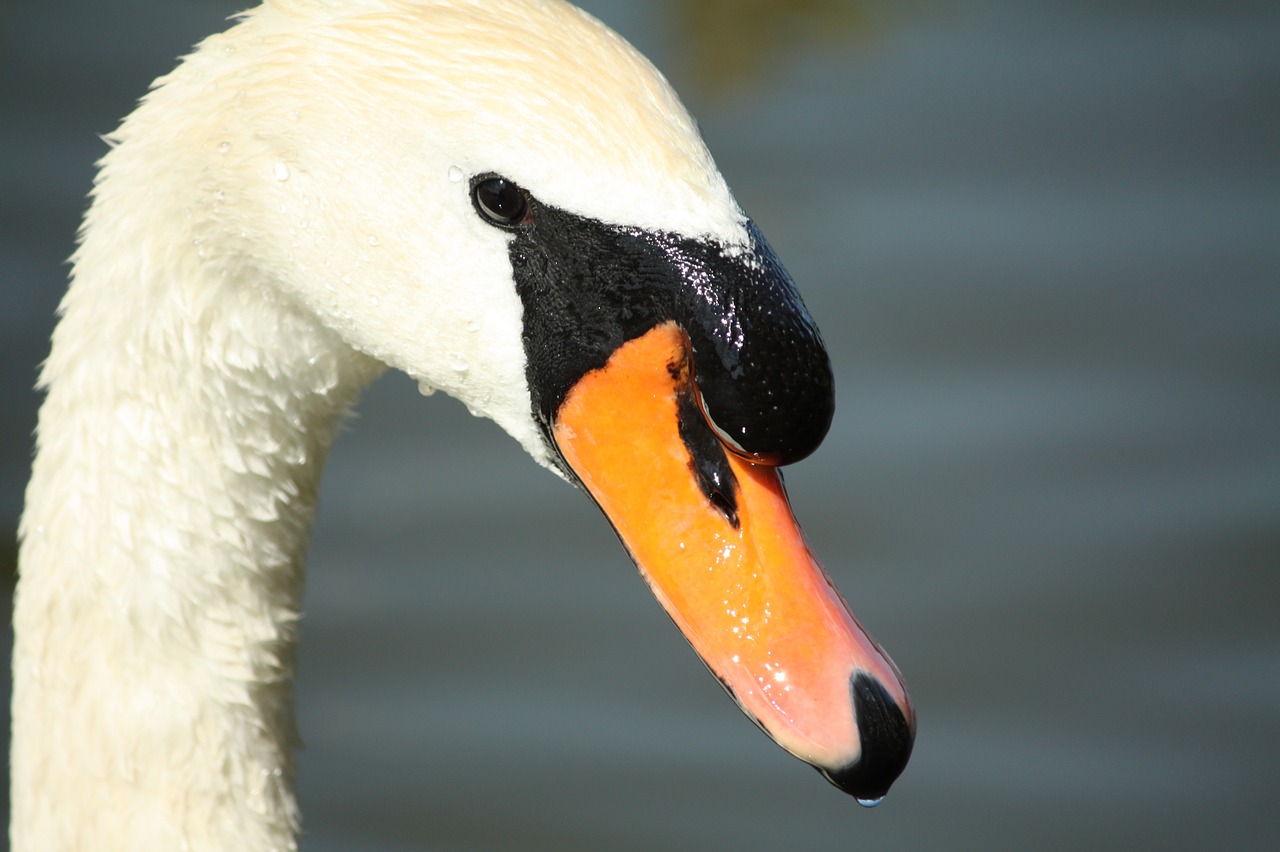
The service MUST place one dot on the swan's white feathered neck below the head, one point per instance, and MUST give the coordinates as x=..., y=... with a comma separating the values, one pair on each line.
x=190, y=409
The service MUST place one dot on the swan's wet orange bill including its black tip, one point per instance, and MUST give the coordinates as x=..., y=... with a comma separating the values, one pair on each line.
x=732, y=567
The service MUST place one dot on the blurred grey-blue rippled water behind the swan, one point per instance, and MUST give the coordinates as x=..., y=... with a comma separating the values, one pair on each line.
x=1043, y=240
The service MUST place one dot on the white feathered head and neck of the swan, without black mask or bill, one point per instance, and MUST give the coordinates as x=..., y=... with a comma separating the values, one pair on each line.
x=284, y=216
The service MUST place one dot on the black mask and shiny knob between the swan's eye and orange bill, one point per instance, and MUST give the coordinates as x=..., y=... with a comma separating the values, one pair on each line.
x=587, y=287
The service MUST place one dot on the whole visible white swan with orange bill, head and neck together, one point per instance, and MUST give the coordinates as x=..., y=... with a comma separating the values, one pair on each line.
x=499, y=198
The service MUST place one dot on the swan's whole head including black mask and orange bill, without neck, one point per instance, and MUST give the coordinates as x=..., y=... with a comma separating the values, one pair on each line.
x=508, y=203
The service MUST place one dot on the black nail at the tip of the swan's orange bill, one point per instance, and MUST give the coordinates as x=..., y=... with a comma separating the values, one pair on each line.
x=886, y=739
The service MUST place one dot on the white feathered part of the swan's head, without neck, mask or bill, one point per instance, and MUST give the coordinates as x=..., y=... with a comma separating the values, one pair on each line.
x=356, y=140
